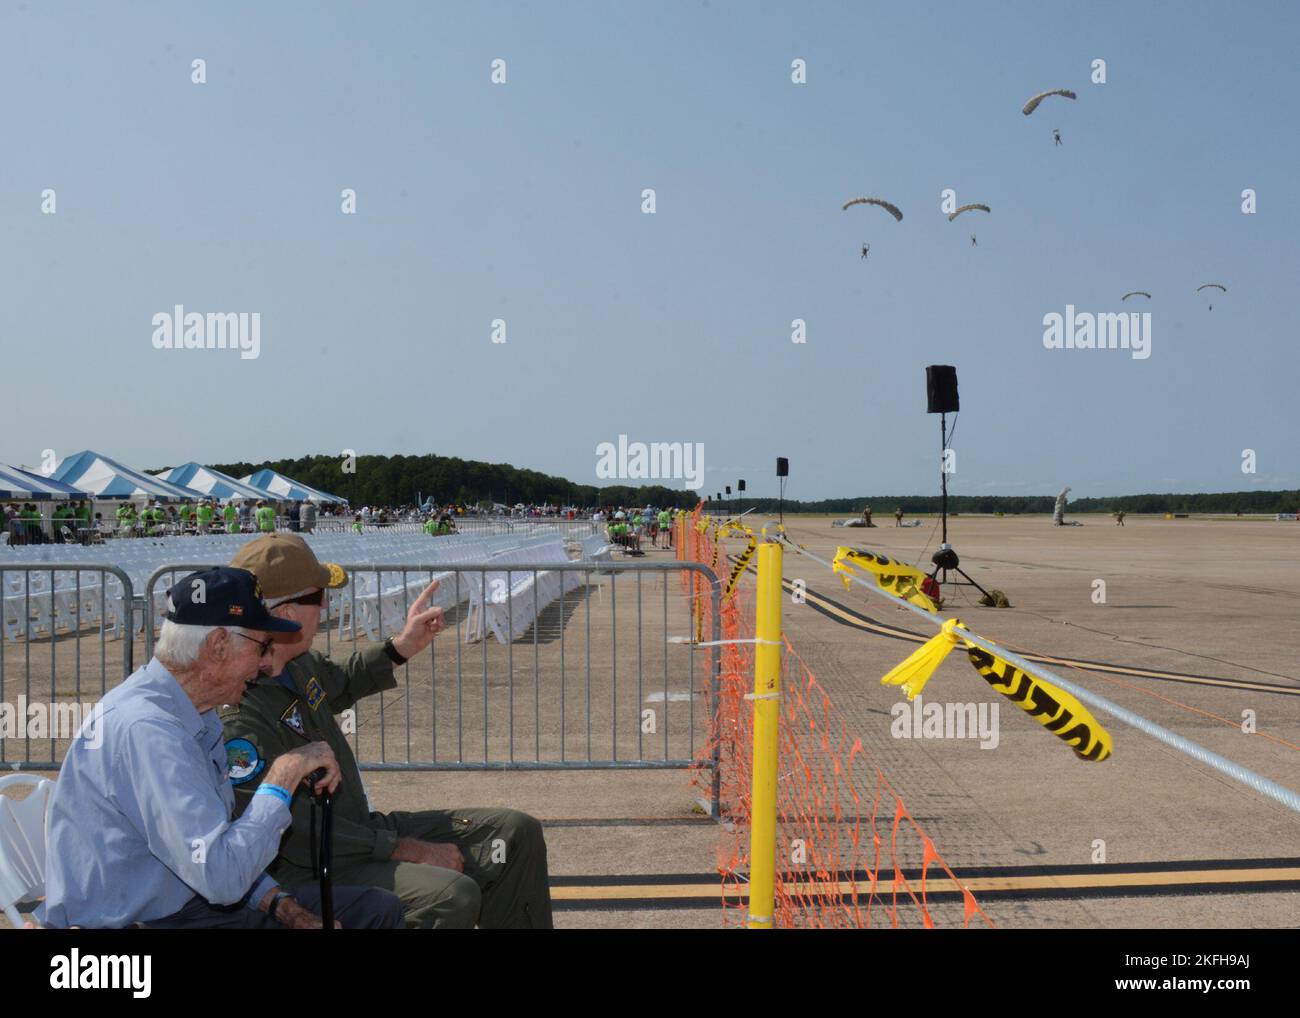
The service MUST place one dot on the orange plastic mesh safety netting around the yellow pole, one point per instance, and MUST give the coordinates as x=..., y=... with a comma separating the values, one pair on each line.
x=850, y=854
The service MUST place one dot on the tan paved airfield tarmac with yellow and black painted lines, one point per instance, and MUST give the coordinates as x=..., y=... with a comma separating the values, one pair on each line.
x=1203, y=600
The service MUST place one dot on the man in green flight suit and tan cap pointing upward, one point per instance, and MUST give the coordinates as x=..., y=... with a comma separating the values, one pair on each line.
x=453, y=869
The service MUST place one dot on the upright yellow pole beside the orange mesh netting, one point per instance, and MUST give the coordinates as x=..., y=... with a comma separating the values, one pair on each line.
x=768, y=712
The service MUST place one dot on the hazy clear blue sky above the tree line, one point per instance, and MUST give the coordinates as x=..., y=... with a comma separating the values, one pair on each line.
x=522, y=202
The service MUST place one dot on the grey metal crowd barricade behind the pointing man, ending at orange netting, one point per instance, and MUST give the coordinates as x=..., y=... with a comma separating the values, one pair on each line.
x=540, y=672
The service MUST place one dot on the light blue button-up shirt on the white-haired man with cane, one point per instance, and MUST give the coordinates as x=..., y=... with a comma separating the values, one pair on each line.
x=140, y=822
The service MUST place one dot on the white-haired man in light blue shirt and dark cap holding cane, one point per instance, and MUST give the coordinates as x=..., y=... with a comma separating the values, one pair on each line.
x=141, y=822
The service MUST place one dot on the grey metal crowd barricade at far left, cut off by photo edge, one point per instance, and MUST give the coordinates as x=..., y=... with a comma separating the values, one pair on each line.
x=50, y=612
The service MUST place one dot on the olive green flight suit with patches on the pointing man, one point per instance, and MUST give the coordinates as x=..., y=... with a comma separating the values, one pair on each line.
x=505, y=883
